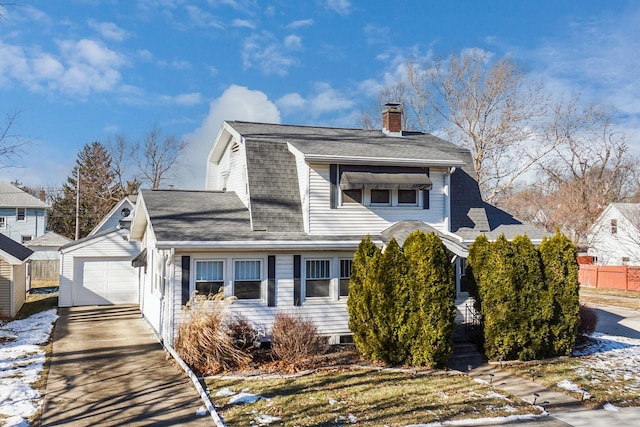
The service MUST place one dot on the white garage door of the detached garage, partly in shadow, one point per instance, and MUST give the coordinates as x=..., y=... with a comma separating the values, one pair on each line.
x=99, y=282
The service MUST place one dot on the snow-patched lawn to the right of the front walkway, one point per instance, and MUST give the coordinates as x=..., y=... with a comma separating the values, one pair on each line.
x=602, y=385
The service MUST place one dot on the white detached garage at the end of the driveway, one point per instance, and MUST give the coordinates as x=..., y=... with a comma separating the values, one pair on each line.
x=97, y=270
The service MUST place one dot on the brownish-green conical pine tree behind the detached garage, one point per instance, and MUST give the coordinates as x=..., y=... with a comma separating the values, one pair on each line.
x=98, y=193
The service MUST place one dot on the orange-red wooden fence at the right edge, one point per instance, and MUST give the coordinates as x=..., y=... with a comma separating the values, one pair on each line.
x=610, y=277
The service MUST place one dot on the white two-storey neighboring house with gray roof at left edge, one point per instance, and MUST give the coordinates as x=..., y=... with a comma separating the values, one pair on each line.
x=22, y=216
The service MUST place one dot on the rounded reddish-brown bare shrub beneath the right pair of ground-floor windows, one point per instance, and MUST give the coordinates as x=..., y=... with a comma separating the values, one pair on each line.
x=294, y=340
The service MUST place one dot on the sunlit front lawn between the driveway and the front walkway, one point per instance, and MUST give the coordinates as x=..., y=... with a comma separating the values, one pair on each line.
x=372, y=398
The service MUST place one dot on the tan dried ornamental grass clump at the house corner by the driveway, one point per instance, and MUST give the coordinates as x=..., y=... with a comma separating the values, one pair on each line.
x=204, y=342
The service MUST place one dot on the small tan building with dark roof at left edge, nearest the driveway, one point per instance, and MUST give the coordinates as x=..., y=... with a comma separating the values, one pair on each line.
x=14, y=279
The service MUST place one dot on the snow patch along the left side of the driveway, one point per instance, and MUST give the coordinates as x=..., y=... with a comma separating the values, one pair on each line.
x=21, y=362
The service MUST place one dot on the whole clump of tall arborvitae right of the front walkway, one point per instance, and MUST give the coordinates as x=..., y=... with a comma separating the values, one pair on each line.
x=528, y=297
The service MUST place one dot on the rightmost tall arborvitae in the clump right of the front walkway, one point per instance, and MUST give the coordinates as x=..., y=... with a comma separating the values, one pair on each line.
x=561, y=276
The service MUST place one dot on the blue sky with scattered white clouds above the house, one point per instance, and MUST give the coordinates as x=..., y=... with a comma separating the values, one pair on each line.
x=86, y=70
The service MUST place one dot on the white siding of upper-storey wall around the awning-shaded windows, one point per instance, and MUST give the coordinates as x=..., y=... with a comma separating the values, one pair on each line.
x=352, y=218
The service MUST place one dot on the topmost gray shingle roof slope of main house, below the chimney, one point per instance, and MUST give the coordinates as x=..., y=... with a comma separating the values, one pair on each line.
x=360, y=143
